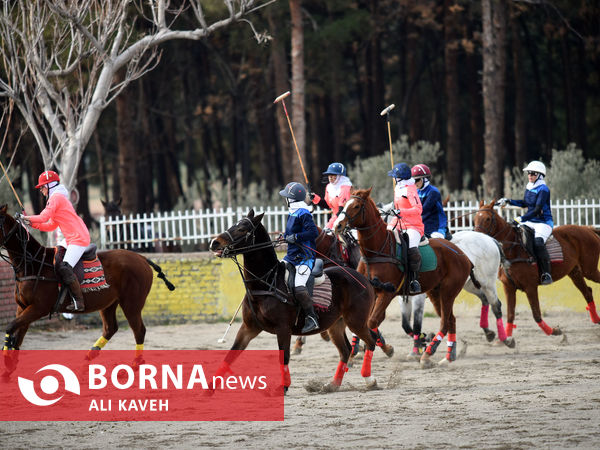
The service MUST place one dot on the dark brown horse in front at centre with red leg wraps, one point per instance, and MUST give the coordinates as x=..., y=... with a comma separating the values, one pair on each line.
x=267, y=306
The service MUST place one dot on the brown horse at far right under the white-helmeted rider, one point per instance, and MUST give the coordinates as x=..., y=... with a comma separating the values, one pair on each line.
x=580, y=247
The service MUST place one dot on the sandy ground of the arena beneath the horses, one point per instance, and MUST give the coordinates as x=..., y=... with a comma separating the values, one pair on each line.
x=543, y=394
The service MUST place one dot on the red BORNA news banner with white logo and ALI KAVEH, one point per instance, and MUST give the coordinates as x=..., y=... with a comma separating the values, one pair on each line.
x=170, y=385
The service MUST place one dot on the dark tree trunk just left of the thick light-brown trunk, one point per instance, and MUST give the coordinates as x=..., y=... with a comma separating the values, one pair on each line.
x=451, y=49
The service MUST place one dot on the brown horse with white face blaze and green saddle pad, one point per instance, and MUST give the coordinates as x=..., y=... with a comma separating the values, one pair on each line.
x=381, y=266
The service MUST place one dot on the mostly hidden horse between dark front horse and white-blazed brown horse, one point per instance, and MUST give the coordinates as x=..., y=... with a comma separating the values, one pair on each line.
x=333, y=252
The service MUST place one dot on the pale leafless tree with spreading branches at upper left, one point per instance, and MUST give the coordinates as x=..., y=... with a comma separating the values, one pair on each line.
x=60, y=60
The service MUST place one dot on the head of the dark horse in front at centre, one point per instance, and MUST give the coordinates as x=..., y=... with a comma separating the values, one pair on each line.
x=239, y=237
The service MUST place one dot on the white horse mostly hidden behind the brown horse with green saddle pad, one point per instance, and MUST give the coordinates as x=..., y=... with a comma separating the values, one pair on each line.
x=486, y=255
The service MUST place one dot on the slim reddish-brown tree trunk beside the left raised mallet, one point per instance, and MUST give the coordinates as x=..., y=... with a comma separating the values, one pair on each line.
x=298, y=82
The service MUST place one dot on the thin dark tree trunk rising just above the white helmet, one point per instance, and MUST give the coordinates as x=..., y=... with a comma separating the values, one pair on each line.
x=520, y=112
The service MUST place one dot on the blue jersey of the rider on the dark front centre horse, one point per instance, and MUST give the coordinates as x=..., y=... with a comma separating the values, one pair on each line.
x=301, y=223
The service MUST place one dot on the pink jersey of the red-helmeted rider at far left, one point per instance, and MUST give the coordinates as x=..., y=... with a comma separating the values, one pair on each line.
x=59, y=212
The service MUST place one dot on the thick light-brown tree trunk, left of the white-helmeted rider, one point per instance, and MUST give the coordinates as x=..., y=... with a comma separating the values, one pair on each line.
x=494, y=63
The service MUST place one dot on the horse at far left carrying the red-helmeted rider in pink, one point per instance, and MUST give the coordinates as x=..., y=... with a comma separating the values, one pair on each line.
x=128, y=274
